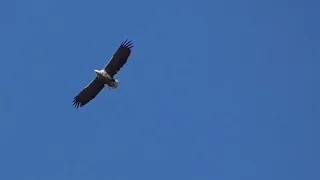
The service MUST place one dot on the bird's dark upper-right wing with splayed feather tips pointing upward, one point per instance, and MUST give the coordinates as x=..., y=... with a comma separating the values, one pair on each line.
x=119, y=58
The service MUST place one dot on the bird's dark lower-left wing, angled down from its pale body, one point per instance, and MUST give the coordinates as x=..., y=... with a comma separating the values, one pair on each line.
x=88, y=93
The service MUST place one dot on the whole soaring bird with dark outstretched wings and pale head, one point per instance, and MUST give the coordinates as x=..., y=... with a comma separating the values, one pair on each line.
x=105, y=76
